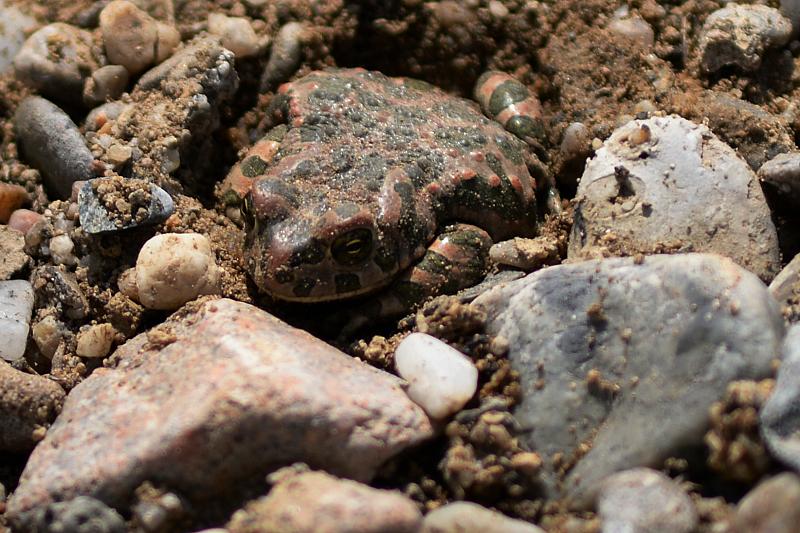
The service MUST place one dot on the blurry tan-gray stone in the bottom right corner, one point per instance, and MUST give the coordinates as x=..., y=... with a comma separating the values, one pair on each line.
x=772, y=507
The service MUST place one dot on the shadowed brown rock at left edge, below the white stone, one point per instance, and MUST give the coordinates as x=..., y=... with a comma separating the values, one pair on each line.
x=28, y=404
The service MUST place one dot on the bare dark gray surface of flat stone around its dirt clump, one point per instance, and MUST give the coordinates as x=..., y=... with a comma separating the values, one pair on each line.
x=95, y=218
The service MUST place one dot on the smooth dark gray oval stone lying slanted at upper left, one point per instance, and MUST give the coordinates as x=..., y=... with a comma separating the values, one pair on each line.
x=51, y=143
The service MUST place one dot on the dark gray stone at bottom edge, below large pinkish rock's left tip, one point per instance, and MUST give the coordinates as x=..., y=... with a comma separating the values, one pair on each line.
x=79, y=515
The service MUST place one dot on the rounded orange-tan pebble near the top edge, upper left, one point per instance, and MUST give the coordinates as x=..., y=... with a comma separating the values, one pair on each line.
x=130, y=35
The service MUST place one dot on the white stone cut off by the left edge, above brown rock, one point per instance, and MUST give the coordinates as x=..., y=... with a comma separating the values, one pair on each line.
x=16, y=305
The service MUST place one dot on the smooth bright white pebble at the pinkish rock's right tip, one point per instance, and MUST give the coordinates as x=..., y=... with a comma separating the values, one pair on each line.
x=441, y=379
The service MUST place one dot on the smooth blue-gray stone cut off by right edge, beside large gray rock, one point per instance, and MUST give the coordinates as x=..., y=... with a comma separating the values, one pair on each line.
x=780, y=417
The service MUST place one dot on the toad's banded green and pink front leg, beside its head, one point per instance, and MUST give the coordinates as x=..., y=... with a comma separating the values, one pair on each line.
x=457, y=259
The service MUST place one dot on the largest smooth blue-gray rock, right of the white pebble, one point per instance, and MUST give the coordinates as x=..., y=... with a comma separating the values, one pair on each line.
x=632, y=354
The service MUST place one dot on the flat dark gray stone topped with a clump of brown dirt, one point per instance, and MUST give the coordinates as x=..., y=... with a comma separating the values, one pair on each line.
x=108, y=205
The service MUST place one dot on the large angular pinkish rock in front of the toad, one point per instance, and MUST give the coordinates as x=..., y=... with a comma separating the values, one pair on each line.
x=237, y=388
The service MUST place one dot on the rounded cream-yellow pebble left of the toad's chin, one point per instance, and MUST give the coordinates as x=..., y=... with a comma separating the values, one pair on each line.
x=173, y=269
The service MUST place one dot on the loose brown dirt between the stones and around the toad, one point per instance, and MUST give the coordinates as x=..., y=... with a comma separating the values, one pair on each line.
x=580, y=70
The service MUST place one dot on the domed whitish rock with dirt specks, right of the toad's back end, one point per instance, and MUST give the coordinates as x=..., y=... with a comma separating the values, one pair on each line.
x=667, y=183
